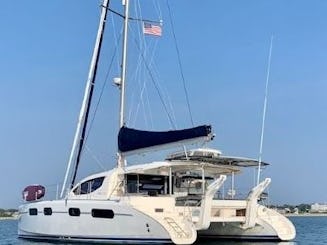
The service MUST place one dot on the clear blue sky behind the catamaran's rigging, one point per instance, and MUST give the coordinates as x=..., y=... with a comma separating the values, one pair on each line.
x=46, y=47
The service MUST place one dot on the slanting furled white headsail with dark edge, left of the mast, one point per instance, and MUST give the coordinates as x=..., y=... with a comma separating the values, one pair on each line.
x=82, y=120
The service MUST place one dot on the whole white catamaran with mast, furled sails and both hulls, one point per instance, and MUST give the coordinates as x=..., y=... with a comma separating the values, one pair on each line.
x=169, y=201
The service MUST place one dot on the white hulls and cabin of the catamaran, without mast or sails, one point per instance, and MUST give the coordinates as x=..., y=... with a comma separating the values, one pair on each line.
x=96, y=211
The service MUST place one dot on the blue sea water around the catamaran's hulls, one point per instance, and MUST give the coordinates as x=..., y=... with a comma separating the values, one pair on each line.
x=310, y=231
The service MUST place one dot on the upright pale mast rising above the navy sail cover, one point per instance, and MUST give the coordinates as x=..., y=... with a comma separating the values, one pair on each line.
x=121, y=159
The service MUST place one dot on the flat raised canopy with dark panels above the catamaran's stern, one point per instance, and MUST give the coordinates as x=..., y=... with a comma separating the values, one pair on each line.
x=214, y=157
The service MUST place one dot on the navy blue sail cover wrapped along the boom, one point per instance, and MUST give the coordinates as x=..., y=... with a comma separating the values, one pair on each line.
x=132, y=139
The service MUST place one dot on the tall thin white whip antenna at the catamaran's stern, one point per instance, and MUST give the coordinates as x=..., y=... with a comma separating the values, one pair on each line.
x=264, y=109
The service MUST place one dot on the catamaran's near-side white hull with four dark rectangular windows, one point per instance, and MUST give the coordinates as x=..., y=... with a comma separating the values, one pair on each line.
x=127, y=226
